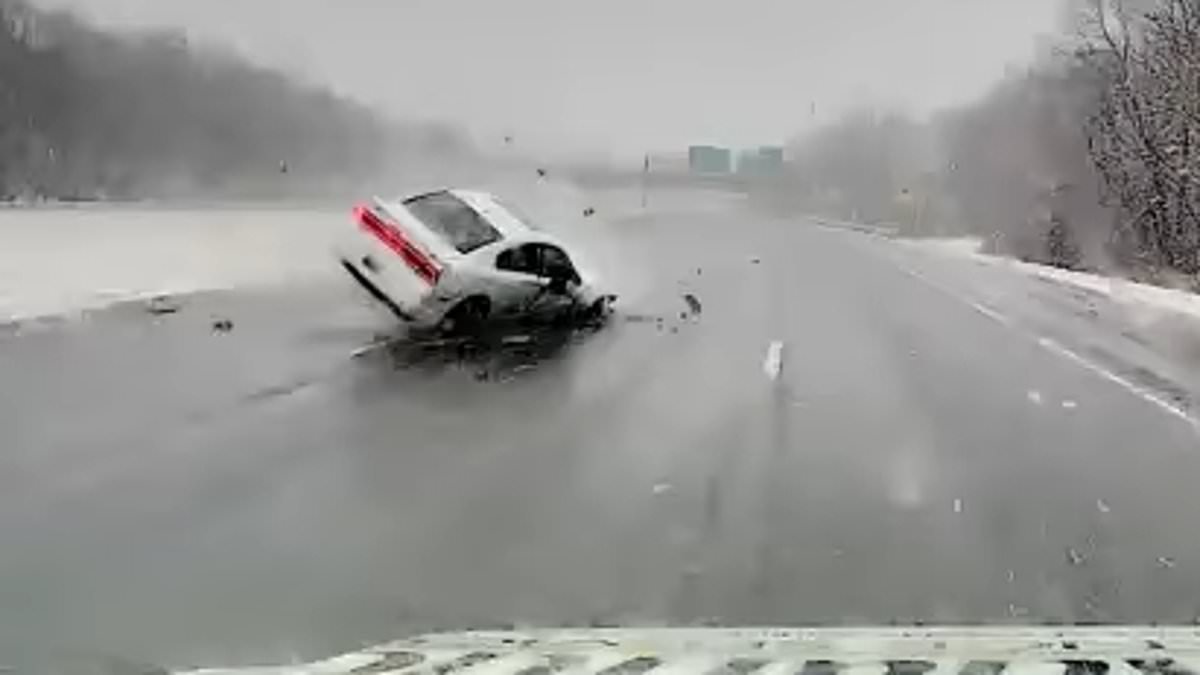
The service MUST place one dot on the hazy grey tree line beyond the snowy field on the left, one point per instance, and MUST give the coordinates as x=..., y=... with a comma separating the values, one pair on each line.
x=89, y=115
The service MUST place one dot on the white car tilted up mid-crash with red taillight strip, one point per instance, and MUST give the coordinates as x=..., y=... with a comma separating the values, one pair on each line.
x=453, y=260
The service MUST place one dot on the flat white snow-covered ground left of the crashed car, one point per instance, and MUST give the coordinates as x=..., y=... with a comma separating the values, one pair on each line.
x=63, y=260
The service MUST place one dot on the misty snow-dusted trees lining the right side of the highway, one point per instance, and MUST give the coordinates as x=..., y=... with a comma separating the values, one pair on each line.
x=1088, y=160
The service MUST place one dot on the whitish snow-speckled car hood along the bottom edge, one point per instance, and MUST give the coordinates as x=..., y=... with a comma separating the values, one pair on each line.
x=770, y=652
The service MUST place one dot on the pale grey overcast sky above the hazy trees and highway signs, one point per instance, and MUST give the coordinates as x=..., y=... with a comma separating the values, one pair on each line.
x=620, y=75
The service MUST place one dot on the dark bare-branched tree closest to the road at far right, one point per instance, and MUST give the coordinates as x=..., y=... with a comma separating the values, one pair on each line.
x=1144, y=133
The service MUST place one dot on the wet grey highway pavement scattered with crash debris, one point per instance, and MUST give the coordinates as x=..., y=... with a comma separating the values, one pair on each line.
x=848, y=433
